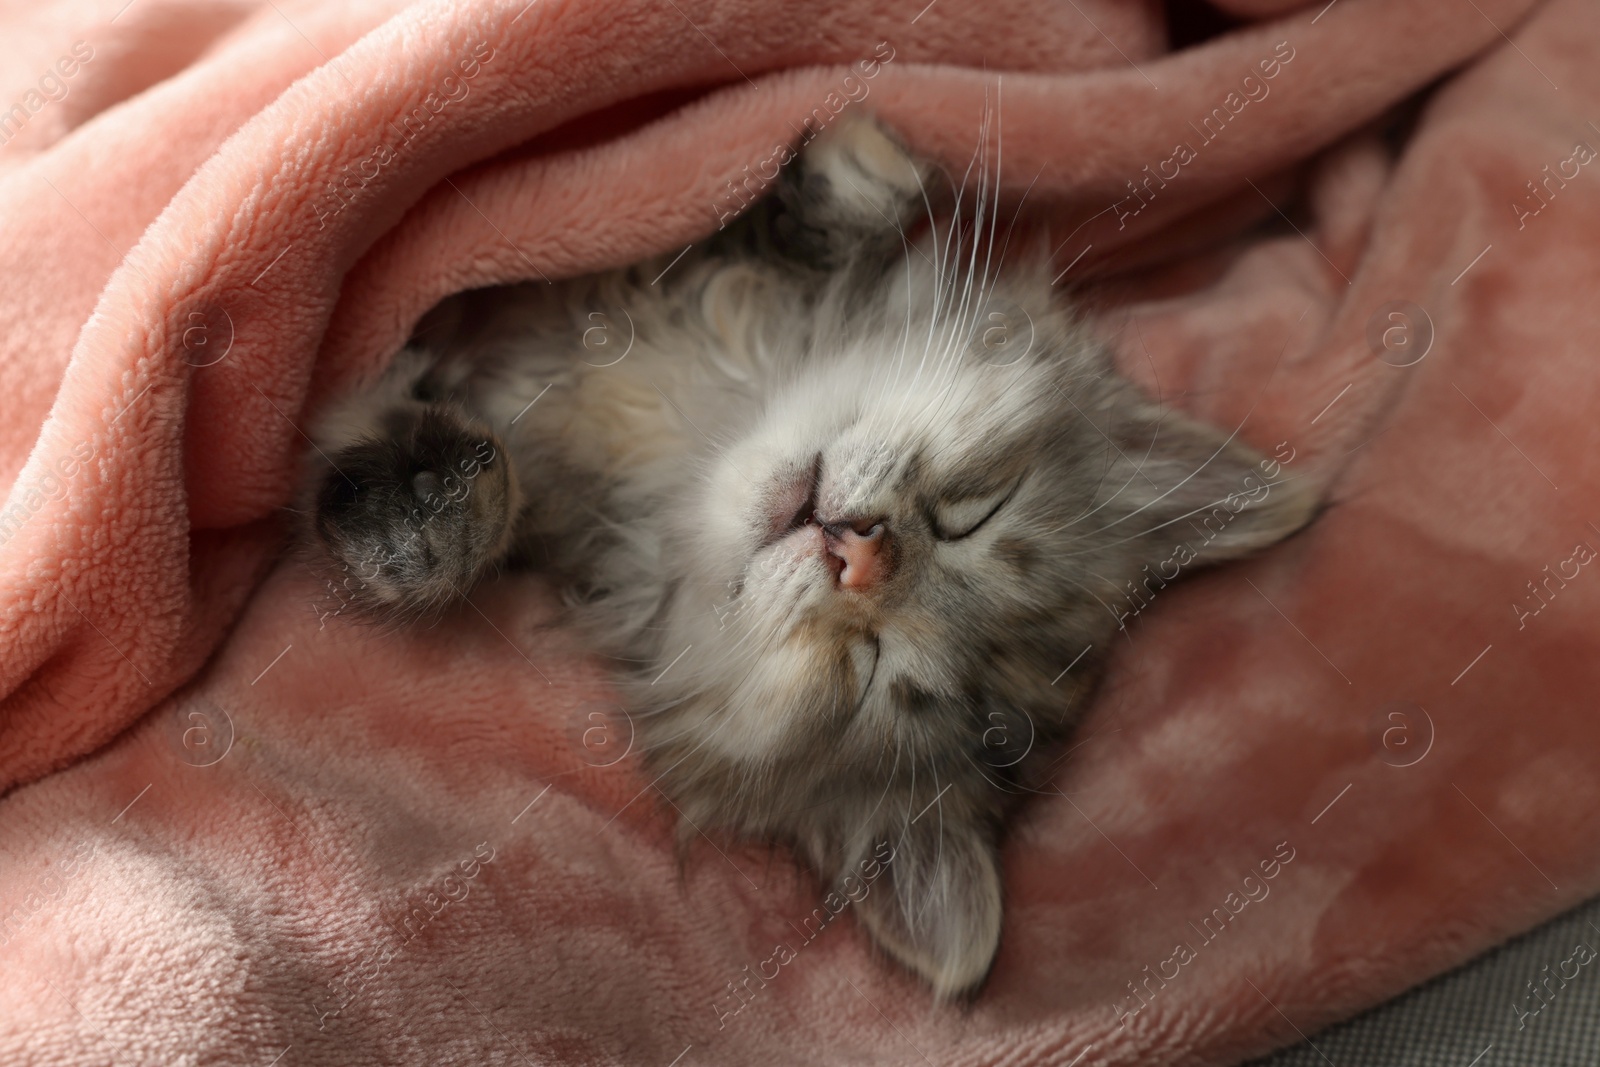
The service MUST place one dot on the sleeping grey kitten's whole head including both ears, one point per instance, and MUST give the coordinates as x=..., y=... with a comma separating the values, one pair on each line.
x=884, y=580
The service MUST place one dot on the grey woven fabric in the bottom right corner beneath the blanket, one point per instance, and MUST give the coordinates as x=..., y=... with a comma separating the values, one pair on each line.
x=1470, y=1018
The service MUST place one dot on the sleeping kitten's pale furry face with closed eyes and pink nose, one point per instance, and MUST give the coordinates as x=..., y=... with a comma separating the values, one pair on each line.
x=878, y=530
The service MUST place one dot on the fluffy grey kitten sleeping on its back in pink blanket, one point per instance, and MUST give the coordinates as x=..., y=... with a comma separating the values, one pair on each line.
x=846, y=506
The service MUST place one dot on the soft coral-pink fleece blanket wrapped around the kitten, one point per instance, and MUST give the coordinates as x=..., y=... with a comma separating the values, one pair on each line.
x=242, y=829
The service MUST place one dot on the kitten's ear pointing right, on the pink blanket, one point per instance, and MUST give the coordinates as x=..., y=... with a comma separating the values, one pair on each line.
x=1183, y=484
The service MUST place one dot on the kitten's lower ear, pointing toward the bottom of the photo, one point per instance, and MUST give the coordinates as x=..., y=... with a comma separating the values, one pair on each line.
x=935, y=903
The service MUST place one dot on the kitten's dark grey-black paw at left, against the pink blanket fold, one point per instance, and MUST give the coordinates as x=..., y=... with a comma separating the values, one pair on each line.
x=415, y=514
